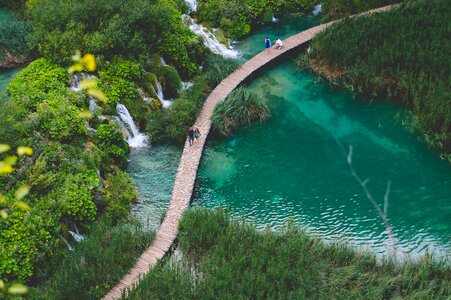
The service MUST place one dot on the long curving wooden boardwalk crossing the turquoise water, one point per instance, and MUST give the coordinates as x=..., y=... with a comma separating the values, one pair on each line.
x=187, y=171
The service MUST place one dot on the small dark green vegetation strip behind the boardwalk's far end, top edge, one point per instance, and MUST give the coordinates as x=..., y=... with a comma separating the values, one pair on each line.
x=335, y=9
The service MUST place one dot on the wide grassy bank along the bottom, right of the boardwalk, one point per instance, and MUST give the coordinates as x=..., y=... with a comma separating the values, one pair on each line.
x=225, y=259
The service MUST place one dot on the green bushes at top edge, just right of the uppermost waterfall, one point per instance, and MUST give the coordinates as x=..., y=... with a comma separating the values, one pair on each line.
x=237, y=17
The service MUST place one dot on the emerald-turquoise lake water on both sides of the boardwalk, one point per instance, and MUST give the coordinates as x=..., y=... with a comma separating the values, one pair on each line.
x=293, y=166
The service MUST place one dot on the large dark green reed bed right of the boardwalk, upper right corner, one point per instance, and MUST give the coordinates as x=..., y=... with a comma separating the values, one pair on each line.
x=401, y=55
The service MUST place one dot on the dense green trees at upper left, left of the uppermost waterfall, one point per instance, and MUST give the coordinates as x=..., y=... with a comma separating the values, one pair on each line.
x=109, y=28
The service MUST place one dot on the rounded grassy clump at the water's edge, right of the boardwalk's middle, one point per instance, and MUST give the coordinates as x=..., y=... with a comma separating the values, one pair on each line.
x=240, y=108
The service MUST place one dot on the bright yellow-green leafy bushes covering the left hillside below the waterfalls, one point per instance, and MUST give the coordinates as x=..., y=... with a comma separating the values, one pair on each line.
x=69, y=175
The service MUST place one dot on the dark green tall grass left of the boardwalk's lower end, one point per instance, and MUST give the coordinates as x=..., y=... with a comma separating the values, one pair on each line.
x=96, y=264
